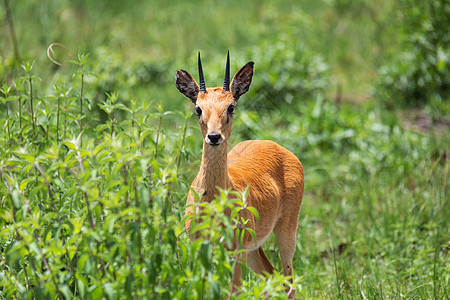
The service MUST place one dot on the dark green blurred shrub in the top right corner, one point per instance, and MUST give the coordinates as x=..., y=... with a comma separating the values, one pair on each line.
x=420, y=73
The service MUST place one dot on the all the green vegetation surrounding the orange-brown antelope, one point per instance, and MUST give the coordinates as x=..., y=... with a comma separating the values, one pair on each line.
x=97, y=151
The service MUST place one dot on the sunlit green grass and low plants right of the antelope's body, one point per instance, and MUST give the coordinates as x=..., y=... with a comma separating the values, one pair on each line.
x=373, y=221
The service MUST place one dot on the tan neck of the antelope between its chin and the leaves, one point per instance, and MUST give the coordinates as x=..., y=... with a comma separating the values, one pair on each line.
x=213, y=170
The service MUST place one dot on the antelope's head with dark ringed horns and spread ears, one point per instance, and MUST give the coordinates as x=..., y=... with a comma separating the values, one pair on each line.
x=215, y=106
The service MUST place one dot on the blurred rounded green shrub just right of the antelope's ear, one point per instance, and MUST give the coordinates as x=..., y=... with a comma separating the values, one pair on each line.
x=286, y=70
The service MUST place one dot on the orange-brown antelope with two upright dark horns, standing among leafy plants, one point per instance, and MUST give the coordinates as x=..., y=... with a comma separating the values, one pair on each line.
x=274, y=174
